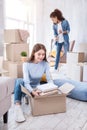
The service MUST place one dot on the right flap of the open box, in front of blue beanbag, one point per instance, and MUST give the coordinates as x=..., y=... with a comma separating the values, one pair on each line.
x=66, y=88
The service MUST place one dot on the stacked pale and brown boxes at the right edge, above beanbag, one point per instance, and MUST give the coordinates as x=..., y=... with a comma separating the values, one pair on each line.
x=76, y=64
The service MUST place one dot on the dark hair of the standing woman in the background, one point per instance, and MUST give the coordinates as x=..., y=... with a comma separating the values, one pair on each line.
x=57, y=13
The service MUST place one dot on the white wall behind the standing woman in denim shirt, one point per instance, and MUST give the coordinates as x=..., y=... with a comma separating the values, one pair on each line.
x=73, y=10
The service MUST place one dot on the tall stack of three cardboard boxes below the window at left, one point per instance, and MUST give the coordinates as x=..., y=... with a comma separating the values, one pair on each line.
x=16, y=42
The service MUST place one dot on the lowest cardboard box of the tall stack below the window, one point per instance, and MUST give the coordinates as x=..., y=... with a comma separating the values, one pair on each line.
x=14, y=69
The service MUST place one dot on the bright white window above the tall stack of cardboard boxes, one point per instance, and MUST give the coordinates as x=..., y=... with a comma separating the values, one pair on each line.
x=18, y=16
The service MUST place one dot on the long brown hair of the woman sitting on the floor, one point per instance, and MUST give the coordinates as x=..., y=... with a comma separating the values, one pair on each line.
x=36, y=48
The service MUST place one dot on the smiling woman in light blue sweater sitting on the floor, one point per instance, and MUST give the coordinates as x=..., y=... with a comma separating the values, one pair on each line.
x=32, y=73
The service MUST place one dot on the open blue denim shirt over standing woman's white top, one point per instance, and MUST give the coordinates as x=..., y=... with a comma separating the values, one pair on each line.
x=65, y=27
